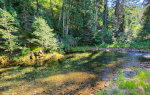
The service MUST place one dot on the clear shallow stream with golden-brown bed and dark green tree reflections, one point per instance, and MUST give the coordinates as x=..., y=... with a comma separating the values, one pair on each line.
x=77, y=74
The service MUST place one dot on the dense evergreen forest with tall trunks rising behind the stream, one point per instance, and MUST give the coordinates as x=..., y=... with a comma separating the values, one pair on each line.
x=55, y=24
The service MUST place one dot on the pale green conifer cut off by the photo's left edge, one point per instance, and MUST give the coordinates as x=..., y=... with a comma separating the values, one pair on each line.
x=8, y=27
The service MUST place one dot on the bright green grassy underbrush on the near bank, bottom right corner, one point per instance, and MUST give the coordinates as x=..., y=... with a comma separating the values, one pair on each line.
x=138, y=85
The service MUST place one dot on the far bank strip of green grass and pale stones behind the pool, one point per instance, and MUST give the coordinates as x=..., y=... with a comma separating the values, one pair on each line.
x=141, y=47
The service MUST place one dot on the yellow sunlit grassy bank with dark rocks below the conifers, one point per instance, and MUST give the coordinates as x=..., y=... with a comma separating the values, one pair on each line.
x=32, y=59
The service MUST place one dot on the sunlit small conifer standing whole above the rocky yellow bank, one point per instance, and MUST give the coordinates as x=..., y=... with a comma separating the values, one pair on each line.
x=43, y=35
